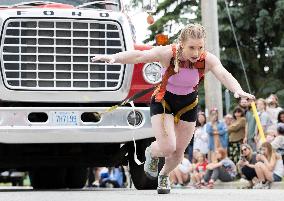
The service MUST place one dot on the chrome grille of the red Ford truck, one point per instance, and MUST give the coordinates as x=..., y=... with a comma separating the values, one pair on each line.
x=54, y=54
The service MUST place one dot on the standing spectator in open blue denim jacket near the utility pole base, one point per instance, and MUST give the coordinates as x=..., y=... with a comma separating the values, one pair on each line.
x=217, y=132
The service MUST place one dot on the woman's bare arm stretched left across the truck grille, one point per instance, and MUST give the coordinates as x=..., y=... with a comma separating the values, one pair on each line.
x=133, y=56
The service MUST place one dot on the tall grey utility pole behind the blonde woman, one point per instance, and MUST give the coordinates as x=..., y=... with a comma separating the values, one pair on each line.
x=213, y=89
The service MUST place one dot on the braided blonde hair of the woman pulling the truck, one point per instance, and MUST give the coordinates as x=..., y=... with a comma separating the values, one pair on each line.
x=195, y=31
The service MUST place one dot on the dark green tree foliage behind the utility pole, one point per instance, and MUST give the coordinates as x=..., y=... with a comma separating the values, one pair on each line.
x=259, y=30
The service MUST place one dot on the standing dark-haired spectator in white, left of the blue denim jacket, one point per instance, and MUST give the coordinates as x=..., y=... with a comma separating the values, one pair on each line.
x=200, y=134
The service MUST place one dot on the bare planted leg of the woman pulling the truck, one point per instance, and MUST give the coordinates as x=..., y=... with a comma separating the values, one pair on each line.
x=184, y=132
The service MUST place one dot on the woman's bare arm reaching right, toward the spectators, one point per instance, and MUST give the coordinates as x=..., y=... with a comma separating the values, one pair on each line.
x=215, y=66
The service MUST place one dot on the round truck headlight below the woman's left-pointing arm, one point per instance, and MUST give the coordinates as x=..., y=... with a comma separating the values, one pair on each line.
x=152, y=73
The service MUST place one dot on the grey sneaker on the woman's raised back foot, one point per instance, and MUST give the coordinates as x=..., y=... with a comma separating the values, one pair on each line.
x=151, y=164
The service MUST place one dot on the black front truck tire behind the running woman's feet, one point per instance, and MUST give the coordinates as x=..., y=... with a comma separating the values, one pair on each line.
x=139, y=178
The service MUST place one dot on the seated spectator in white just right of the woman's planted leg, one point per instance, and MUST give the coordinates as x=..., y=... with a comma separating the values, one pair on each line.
x=180, y=175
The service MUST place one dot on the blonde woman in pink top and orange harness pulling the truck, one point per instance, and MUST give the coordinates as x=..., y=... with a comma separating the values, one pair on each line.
x=177, y=90
